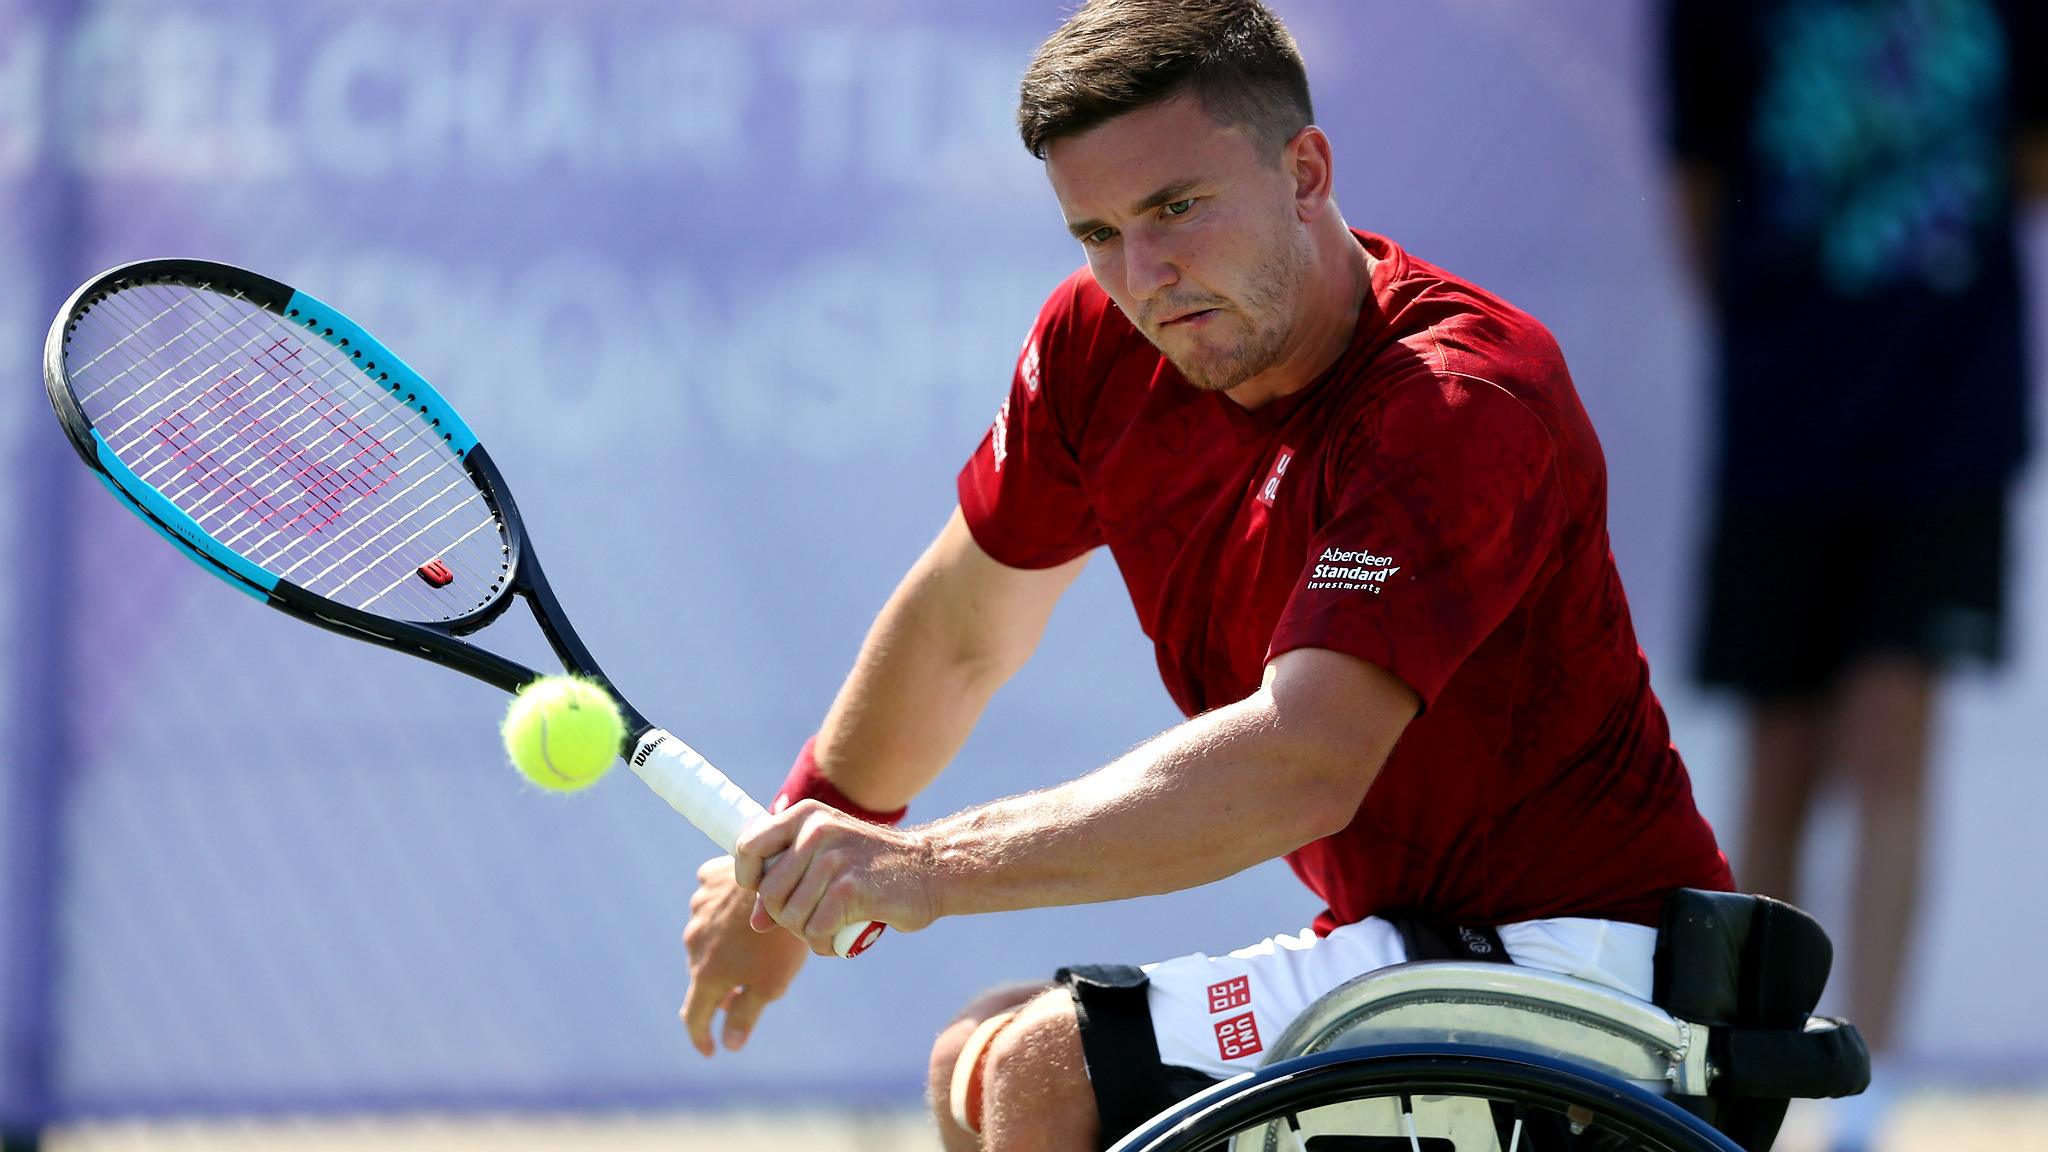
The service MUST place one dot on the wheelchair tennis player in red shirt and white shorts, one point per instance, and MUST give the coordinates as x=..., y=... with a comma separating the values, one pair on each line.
x=1357, y=503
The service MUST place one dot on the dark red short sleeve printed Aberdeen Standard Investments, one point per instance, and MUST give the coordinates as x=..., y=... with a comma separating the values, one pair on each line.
x=1447, y=511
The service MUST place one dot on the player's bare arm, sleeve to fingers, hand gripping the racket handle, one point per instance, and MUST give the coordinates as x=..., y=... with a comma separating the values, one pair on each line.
x=1228, y=790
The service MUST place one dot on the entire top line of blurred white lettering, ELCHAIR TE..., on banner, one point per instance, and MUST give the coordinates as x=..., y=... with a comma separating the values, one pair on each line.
x=189, y=93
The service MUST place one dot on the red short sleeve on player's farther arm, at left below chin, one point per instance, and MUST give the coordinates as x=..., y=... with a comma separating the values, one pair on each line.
x=1023, y=491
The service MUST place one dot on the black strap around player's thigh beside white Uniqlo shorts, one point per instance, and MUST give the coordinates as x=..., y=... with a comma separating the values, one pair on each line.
x=1119, y=1046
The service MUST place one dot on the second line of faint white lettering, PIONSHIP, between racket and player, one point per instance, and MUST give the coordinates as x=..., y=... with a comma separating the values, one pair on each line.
x=792, y=366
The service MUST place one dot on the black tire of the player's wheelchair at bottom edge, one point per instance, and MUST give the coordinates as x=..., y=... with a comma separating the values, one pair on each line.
x=1629, y=1118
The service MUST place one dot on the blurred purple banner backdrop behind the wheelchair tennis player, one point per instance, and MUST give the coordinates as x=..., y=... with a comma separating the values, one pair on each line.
x=730, y=294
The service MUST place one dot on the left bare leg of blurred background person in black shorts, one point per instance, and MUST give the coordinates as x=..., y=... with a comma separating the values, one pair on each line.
x=1787, y=757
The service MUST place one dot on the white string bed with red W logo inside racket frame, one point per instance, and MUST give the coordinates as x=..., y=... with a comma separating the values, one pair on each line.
x=288, y=452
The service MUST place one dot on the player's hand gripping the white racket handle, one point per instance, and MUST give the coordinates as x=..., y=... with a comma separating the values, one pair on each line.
x=818, y=870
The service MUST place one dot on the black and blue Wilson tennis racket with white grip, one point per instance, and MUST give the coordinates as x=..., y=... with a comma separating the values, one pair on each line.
x=288, y=452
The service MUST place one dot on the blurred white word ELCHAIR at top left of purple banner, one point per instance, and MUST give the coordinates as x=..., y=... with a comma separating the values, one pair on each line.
x=202, y=95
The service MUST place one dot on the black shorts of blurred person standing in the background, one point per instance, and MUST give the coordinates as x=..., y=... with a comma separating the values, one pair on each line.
x=1797, y=595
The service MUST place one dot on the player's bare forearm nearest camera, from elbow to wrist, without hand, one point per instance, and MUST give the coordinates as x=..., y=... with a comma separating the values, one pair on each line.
x=1205, y=800
